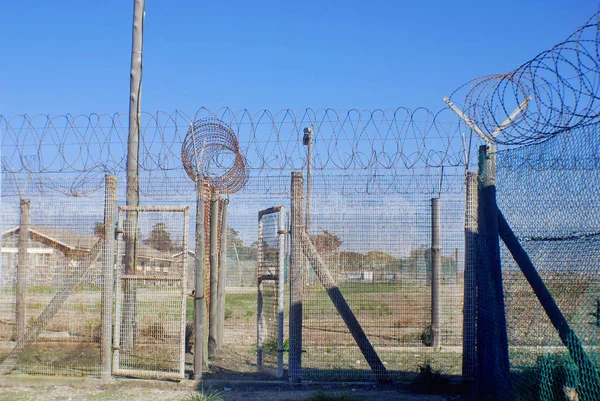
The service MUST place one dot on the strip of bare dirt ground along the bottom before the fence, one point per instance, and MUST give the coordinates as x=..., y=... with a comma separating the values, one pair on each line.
x=56, y=388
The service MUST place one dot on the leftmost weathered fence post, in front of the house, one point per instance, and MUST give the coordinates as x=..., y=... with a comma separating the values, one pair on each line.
x=21, y=283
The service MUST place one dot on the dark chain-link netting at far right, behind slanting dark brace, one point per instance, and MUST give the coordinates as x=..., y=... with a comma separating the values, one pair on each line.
x=550, y=196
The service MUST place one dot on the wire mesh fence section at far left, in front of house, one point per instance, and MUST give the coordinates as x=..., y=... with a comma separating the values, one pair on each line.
x=63, y=268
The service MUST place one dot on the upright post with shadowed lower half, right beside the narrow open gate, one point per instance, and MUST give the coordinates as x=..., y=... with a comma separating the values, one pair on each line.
x=296, y=278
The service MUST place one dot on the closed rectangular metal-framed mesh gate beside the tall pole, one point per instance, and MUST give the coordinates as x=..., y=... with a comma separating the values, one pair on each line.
x=150, y=301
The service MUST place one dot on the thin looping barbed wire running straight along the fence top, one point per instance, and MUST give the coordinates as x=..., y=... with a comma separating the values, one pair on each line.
x=345, y=140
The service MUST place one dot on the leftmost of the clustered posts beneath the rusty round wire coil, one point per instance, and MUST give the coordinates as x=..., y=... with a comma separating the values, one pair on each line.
x=199, y=290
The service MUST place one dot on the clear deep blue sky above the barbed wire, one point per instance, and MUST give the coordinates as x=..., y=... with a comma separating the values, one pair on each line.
x=73, y=56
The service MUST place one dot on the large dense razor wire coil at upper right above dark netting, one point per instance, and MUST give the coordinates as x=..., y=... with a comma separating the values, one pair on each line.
x=562, y=85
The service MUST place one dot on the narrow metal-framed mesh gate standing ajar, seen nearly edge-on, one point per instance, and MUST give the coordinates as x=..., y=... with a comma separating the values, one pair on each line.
x=271, y=258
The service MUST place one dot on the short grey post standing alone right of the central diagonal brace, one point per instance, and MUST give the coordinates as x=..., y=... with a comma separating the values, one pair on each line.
x=436, y=247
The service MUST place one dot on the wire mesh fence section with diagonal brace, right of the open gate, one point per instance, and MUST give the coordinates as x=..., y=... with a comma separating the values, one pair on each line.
x=377, y=248
